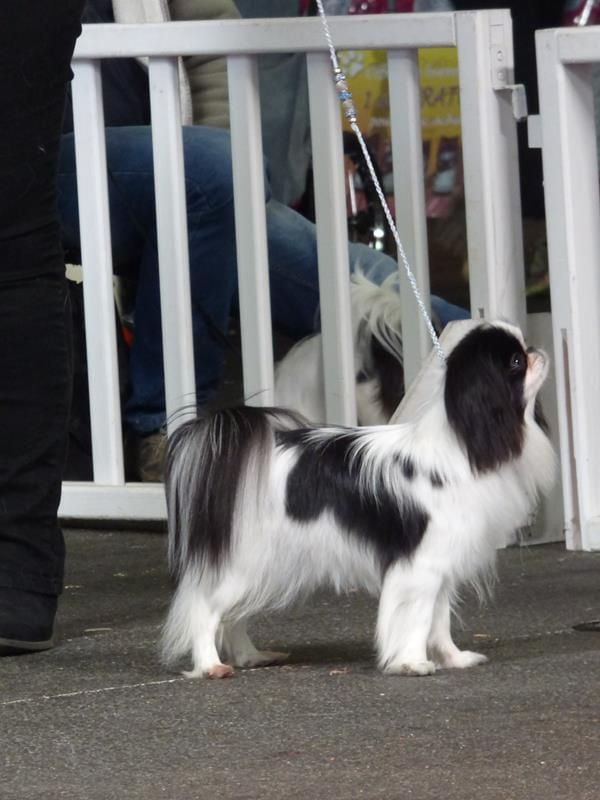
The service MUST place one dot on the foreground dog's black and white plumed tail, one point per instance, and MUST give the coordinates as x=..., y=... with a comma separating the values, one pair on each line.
x=210, y=464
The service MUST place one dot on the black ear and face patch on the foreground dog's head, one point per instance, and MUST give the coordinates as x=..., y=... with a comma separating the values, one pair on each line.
x=484, y=396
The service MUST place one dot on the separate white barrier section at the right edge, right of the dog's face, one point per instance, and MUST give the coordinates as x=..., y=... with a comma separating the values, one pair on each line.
x=568, y=139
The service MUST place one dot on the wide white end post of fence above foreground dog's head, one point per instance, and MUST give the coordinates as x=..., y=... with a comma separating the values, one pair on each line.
x=491, y=173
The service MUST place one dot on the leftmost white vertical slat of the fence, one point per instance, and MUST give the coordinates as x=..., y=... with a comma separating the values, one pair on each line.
x=94, y=224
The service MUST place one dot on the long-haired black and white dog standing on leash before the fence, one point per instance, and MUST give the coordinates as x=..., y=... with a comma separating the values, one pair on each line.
x=262, y=509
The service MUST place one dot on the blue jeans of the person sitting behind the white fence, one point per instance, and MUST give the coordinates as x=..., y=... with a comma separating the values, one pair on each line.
x=292, y=249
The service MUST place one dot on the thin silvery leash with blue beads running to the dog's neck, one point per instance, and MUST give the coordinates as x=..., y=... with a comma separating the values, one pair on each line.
x=345, y=96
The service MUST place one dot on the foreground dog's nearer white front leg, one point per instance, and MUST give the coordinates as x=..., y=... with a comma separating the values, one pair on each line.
x=405, y=617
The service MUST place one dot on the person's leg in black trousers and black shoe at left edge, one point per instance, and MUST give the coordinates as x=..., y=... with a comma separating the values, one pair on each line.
x=36, y=43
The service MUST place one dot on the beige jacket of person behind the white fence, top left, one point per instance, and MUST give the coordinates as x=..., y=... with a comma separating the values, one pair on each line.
x=203, y=79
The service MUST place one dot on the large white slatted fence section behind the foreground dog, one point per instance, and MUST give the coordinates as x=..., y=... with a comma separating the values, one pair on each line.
x=484, y=41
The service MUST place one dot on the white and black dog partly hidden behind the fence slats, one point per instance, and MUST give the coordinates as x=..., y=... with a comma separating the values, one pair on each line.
x=378, y=359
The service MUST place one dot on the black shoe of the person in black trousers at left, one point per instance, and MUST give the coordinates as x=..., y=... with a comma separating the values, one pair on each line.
x=26, y=621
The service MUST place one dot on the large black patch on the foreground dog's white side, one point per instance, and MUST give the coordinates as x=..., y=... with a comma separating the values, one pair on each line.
x=326, y=477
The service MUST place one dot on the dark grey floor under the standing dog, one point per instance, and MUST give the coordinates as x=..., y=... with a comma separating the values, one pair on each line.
x=98, y=717
